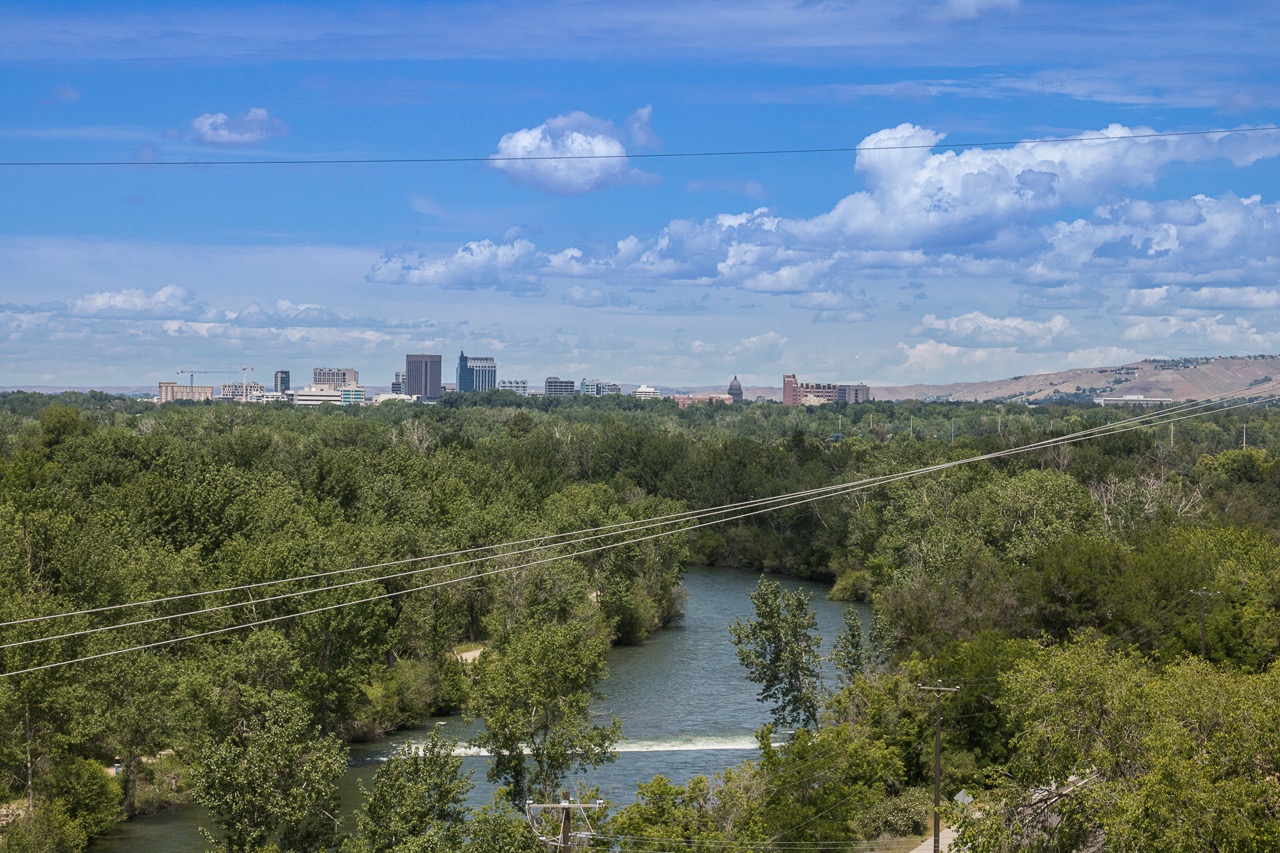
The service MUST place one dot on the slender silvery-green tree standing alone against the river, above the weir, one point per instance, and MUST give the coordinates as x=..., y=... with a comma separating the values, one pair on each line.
x=781, y=653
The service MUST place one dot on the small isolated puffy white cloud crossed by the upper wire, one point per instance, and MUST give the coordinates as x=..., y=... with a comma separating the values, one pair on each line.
x=573, y=154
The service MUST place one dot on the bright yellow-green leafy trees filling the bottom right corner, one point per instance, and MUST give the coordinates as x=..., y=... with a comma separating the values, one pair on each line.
x=1112, y=752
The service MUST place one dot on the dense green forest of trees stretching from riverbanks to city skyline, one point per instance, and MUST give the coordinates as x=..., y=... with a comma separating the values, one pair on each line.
x=1064, y=590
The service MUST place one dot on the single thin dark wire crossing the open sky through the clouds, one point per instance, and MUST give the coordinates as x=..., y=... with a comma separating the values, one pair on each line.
x=659, y=156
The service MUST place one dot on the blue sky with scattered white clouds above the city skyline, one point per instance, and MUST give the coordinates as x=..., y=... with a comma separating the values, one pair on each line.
x=984, y=230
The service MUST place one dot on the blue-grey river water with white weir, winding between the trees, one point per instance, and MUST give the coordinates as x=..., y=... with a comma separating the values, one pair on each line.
x=685, y=705
